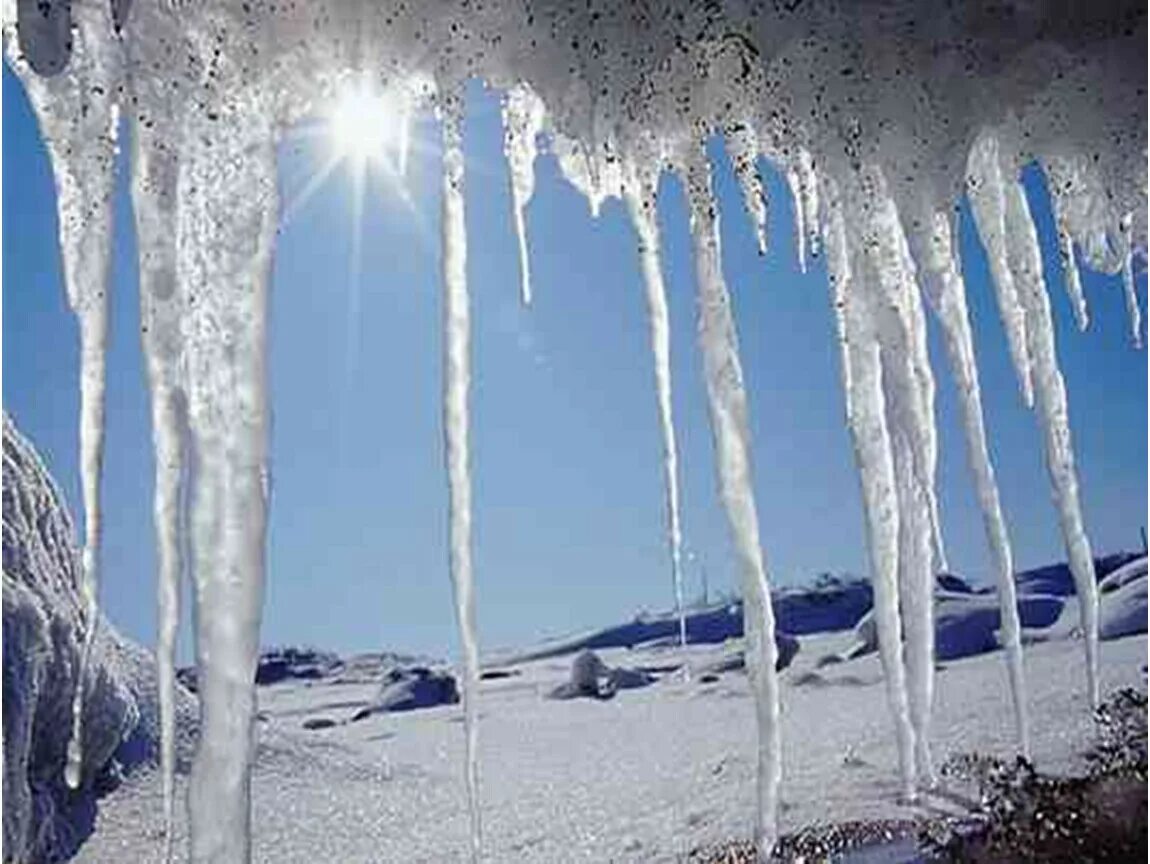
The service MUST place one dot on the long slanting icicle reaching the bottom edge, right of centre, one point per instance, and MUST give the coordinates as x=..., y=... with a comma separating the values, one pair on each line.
x=731, y=430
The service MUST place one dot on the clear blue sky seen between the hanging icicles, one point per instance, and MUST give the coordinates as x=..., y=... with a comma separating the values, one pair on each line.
x=569, y=490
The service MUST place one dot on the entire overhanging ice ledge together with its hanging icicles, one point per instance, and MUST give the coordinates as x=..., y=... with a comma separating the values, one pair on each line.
x=879, y=114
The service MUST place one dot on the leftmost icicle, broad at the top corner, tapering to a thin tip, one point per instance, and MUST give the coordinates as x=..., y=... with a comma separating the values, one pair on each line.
x=79, y=119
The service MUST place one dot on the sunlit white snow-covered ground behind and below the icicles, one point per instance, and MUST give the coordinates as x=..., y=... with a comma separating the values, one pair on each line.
x=647, y=776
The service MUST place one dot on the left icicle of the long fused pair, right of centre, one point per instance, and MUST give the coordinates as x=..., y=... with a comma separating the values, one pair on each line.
x=867, y=419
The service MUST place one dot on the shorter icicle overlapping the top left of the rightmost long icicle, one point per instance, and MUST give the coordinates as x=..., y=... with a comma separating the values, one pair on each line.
x=986, y=189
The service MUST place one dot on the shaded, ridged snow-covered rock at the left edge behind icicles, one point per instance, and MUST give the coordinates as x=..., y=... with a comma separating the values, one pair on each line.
x=44, y=630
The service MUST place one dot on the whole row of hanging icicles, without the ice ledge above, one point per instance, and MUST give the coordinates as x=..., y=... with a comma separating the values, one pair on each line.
x=879, y=273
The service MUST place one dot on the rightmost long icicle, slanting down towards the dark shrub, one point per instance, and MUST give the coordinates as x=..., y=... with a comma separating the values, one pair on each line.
x=1025, y=264
